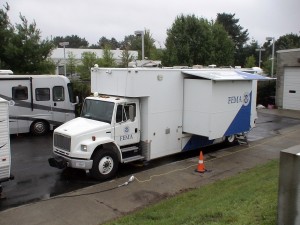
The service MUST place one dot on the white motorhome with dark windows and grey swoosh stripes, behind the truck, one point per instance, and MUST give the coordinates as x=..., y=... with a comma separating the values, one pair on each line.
x=37, y=103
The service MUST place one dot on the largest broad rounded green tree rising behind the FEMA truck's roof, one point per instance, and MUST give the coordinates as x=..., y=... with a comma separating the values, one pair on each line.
x=193, y=40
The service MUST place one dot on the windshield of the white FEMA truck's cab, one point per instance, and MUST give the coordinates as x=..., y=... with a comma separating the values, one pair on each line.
x=97, y=110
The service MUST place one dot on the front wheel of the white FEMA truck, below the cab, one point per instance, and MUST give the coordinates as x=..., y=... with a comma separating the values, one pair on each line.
x=105, y=165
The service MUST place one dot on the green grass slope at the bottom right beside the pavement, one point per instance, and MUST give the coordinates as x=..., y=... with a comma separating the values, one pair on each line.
x=247, y=198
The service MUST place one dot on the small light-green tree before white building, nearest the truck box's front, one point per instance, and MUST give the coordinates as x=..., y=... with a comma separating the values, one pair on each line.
x=88, y=59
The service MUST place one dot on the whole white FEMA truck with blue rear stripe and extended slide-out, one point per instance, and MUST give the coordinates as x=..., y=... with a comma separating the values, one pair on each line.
x=143, y=114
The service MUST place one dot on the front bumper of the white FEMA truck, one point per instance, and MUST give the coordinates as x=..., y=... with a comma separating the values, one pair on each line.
x=62, y=162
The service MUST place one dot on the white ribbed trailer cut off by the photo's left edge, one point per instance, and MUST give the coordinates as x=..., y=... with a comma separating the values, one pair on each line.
x=5, y=154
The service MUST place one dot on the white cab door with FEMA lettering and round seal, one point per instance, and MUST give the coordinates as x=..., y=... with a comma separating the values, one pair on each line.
x=126, y=130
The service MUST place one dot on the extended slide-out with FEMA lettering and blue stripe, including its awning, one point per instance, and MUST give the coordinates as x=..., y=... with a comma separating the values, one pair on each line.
x=219, y=103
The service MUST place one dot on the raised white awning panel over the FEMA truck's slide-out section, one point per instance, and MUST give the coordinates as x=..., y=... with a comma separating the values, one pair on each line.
x=225, y=75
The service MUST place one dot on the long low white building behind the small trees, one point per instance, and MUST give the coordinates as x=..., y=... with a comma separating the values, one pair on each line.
x=60, y=57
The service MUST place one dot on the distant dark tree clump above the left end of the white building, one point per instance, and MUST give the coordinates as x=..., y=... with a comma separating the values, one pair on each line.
x=74, y=41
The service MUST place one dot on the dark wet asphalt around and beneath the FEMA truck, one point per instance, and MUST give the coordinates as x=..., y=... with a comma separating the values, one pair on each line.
x=36, y=180
